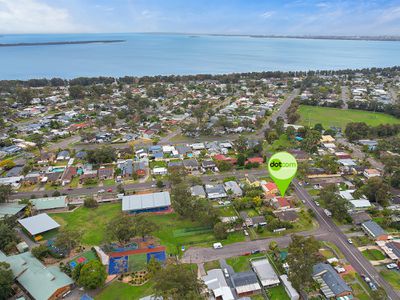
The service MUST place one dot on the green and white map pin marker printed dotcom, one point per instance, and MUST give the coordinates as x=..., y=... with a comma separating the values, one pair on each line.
x=282, y=167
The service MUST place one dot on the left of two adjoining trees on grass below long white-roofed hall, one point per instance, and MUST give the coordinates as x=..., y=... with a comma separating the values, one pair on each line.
x=120, y=228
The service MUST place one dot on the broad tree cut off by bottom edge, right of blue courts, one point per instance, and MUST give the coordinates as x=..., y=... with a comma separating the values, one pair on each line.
x=177, y=282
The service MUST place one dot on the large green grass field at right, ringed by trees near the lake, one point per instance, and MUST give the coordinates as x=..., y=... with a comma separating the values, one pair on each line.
x=310, y=115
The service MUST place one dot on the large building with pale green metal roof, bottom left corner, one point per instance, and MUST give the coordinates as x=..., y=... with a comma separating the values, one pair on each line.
x=37, y=280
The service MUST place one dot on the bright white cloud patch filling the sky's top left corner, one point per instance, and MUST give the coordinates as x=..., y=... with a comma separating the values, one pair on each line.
x=34, y=16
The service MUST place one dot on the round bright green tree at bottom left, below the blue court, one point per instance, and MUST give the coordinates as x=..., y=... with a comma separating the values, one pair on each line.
x=92, y=275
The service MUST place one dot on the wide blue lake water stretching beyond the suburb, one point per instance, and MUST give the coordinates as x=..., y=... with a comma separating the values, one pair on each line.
x=164, y=54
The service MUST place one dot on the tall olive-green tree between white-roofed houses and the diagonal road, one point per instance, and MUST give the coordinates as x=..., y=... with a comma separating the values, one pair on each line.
x=302, y=256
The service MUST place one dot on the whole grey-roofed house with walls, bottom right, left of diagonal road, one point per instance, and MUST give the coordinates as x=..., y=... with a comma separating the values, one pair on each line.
x=331, y=284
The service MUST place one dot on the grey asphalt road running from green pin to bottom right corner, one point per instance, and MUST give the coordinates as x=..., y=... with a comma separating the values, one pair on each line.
x=336, y=236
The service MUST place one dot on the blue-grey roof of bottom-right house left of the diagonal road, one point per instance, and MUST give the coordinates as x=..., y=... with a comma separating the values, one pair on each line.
x=336, y=284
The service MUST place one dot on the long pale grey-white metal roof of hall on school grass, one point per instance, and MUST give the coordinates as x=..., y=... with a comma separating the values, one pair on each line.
x=146, y=201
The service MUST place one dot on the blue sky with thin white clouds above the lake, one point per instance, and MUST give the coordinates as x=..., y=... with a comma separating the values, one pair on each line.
x=269, y=17
